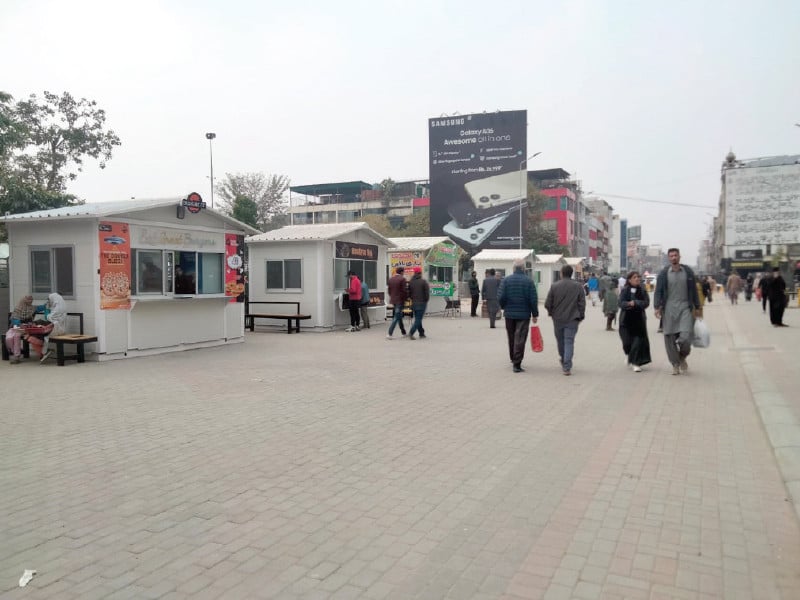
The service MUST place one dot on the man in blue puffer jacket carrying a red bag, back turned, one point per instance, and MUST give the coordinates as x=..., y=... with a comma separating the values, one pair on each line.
x=517, y=296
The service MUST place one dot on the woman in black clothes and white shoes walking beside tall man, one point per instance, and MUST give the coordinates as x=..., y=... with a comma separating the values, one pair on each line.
x=633, y=301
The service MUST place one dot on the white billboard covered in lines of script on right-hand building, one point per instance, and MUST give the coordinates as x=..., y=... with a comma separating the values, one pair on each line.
x=762, y=205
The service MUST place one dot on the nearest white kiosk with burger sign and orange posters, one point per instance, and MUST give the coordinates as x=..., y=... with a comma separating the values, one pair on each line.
x=95, y=255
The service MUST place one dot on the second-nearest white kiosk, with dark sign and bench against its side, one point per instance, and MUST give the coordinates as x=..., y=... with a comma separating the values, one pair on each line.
x=309, y=264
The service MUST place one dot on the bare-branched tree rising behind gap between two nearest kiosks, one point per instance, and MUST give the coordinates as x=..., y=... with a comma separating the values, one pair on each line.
x=267, y=191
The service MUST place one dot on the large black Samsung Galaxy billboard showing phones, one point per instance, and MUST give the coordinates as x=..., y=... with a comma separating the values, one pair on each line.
x=478, y=178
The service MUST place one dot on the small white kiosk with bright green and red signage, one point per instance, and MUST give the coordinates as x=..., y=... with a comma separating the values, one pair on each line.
x=438, y=259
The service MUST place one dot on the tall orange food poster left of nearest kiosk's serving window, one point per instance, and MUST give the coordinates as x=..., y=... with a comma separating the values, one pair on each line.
x=115, y=266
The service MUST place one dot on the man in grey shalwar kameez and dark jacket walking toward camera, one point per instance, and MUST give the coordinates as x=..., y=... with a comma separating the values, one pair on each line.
x=676, y=299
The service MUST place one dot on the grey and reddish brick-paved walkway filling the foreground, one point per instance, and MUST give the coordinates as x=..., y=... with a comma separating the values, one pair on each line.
x=342, y=465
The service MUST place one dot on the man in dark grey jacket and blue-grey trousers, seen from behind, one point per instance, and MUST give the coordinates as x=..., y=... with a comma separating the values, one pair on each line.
x=566, y=304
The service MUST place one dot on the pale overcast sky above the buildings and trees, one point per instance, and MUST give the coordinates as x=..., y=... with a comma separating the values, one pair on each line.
x=634, y=99
